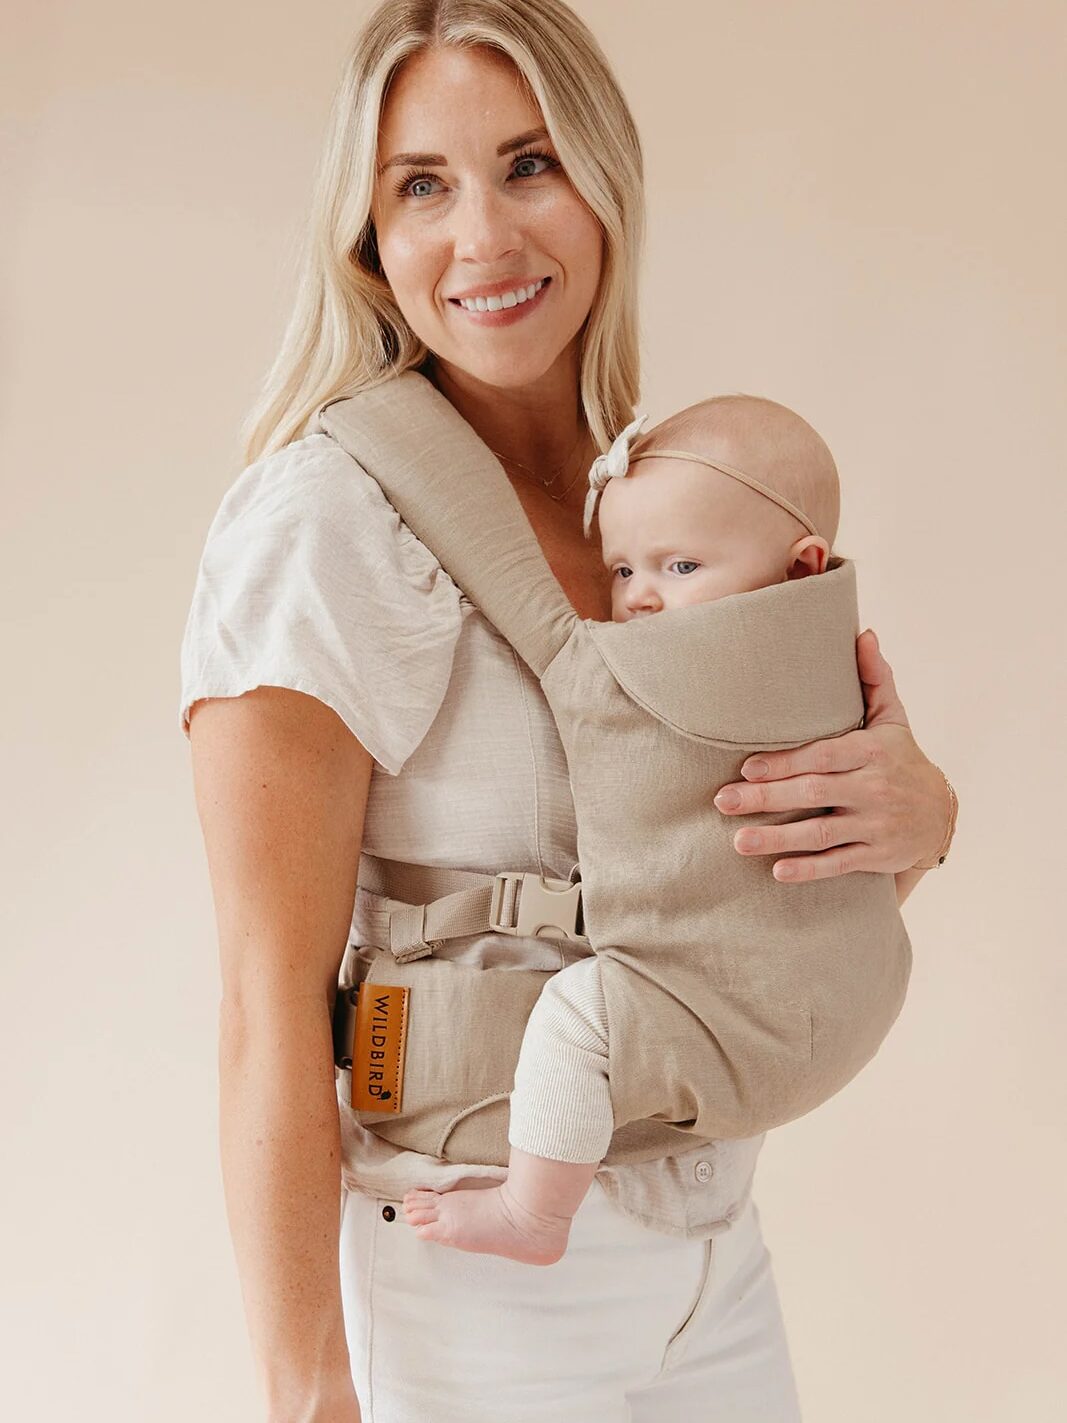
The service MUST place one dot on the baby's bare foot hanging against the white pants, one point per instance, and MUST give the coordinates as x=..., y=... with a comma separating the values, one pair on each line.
x=489, y=1223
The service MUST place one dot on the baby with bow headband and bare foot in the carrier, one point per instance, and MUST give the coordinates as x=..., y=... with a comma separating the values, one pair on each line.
x=728, y=497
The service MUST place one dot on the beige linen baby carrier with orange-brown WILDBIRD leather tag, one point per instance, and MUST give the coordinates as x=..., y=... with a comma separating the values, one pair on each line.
x=735, y=1004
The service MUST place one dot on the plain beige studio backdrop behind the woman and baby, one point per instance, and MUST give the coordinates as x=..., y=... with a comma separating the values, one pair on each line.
x=857, y=210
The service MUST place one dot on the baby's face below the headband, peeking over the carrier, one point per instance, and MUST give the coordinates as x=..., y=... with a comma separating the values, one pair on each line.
x=676, y=534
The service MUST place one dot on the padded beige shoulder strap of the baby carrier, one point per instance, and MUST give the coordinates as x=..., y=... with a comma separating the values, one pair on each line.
x=455, y=496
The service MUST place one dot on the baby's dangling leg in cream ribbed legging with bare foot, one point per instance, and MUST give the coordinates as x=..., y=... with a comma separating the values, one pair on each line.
x=561, y=1125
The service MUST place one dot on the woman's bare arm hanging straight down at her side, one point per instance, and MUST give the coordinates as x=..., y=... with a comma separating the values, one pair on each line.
x=281, y=792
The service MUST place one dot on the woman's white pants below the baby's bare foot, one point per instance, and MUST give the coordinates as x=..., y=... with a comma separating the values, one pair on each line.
x=631, y=1327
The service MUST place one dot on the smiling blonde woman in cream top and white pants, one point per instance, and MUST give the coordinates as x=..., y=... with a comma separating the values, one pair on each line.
x=342, y=697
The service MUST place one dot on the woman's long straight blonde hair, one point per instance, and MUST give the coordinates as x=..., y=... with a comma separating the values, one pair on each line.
x=346, y=331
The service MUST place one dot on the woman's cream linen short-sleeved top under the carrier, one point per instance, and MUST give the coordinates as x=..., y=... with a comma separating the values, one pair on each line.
x=309, y=580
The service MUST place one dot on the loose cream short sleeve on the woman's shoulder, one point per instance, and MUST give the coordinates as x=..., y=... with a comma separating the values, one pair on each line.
x=309, y=580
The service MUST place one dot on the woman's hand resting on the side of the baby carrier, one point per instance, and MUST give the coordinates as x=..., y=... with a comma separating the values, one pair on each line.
x=888, y=806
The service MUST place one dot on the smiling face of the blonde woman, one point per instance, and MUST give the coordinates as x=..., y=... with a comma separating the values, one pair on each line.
x=490, y=253
